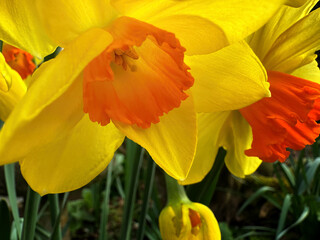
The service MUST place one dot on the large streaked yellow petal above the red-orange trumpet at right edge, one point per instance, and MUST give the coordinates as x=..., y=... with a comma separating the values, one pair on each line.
x=296, y=46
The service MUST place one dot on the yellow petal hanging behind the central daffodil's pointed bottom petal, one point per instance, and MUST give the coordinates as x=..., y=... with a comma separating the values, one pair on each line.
x=209, y=130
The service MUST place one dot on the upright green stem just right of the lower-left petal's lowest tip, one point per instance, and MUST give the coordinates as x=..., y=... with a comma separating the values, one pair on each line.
x=55, y=216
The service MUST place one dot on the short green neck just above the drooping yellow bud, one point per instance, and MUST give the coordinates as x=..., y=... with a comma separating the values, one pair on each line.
x=175, y=191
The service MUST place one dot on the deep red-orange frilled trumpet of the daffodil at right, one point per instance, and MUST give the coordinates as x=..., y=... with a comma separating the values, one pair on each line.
x=285, y=120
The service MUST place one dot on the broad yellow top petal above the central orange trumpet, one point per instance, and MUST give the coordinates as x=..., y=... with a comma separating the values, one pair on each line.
x=237, y=19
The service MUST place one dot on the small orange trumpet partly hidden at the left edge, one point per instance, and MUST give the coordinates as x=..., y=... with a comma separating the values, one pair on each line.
x=19, y=60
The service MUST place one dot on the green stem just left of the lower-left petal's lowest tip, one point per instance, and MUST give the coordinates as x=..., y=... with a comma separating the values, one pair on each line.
x=30, y=215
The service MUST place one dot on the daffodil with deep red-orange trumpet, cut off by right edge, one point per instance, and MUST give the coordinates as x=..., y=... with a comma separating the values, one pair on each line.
x=287, y=118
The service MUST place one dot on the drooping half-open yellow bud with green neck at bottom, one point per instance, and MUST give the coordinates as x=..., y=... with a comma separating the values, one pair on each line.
x=182, y=219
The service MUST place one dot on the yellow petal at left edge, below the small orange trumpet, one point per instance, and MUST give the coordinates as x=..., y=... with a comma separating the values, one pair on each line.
x=12, y=89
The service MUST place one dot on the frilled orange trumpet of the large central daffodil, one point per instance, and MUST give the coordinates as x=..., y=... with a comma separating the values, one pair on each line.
x=138, y=77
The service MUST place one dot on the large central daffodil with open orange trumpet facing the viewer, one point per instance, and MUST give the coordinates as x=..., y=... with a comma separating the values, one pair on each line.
x=122, y=67
